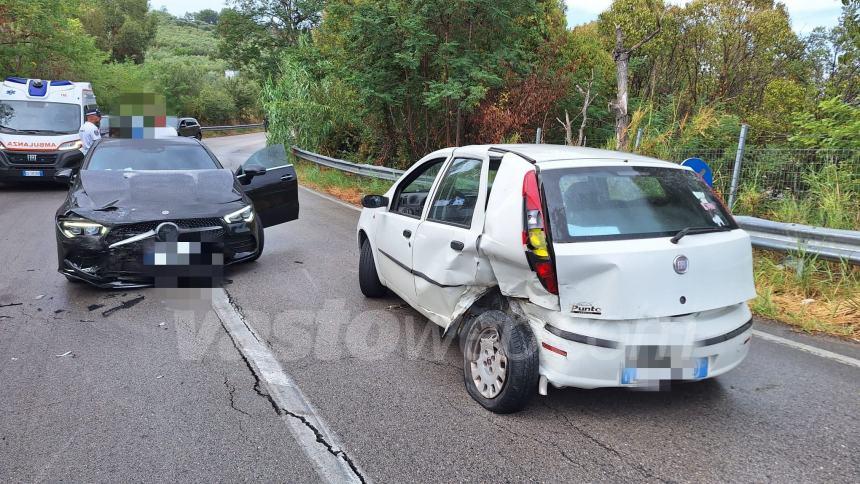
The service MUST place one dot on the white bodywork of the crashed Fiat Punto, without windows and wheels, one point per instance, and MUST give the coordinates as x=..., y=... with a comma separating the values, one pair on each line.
x=633, y=295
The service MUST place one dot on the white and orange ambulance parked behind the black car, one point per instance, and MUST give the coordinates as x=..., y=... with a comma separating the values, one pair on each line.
x=39, y=123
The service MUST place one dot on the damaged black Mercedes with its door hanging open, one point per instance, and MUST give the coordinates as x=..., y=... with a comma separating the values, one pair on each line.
x=140, y=210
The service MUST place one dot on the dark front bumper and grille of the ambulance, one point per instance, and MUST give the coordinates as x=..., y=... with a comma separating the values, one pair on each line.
x=14, y=165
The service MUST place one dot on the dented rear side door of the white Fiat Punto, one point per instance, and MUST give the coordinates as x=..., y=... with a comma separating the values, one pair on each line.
x=445, y=253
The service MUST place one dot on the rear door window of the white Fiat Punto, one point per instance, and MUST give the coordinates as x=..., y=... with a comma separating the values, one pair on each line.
x=458, y=193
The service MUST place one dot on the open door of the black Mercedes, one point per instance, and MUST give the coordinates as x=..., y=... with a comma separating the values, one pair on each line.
x=274, y=192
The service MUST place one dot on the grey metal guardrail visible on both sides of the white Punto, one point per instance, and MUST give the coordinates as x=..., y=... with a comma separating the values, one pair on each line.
x=826, y=243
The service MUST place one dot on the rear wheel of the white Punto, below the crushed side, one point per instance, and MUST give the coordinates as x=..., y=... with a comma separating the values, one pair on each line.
x=500, y=361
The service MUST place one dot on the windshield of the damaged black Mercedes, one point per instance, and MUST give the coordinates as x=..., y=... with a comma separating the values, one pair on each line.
x=139, y=155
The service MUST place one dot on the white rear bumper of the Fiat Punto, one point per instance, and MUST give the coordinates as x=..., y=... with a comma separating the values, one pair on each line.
x=603, y=353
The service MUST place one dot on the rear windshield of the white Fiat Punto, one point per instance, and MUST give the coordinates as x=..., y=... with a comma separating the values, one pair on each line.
x=610, y=203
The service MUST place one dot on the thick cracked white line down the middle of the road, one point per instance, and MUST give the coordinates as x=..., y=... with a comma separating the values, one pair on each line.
x=320, y=444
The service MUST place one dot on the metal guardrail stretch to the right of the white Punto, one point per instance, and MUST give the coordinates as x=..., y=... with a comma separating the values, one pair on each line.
x=831, y=244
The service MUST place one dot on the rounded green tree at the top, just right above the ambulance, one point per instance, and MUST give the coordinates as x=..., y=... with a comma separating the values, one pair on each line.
x=123, y=28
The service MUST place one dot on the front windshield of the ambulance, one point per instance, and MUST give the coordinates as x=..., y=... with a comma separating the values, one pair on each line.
x=39, y=117
